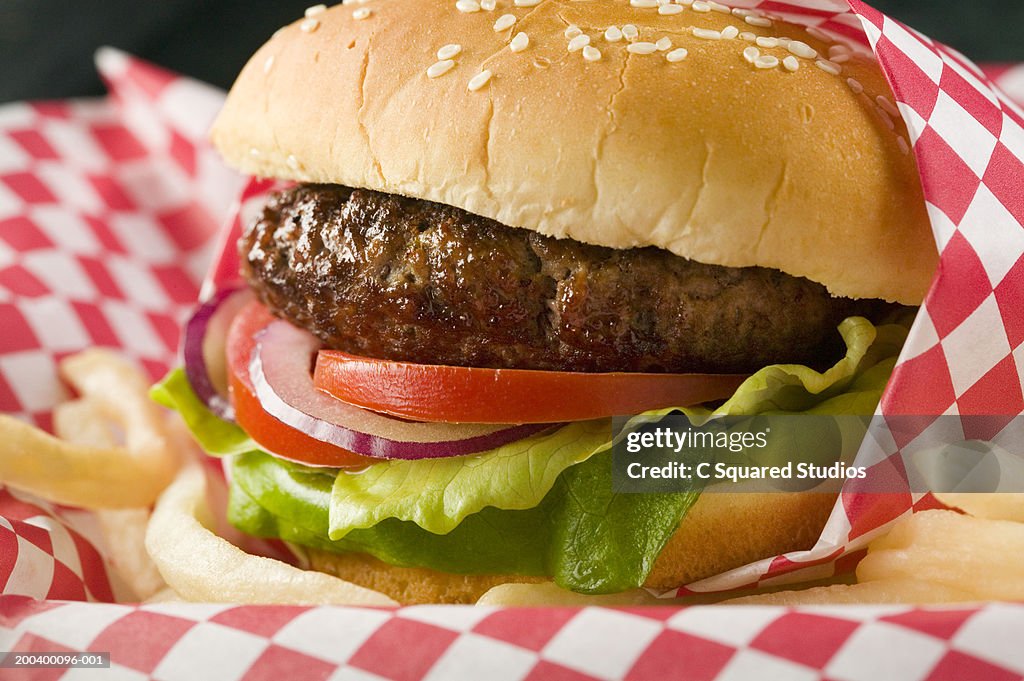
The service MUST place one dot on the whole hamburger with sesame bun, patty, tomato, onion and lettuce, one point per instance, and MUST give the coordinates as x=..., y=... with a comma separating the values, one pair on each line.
x=498, y=225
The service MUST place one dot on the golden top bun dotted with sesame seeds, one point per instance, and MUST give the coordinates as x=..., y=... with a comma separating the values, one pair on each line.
x=710, y=158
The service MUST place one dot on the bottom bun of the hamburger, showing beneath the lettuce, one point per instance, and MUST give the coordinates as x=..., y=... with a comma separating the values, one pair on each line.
x=720, y=533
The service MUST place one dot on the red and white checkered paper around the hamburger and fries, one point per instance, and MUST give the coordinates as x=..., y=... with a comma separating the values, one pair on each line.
x=109, y=218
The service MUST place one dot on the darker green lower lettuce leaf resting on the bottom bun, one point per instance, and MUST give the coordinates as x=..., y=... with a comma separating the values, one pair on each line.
x=581, y=534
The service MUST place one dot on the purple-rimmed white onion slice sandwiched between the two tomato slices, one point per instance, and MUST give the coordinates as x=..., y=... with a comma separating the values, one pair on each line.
x=281, y=372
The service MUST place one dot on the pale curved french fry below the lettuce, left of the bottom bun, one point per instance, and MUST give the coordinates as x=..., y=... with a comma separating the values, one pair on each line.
x=199, y=566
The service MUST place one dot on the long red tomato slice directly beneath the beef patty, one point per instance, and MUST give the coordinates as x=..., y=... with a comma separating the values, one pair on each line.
x=465, y=395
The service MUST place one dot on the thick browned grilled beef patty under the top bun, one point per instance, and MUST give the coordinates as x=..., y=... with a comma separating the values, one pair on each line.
x=383, y=276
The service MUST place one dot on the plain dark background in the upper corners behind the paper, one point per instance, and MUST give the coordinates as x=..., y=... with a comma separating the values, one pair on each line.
x=47, y=47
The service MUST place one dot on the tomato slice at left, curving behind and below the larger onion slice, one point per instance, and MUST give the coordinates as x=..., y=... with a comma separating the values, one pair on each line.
x=275, y=437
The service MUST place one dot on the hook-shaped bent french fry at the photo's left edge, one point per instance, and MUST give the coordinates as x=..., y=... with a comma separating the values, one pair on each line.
x=91, y=477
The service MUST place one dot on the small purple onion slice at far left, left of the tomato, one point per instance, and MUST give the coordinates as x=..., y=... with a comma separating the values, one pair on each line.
x=204, y=353
